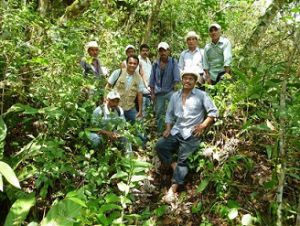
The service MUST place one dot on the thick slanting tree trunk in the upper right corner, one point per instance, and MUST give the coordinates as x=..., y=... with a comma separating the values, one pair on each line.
x=262, y=26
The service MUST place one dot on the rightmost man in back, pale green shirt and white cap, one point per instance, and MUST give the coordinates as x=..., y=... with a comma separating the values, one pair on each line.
x=217, y=55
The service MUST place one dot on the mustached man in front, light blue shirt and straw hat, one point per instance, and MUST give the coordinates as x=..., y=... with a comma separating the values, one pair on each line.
x=190, y=111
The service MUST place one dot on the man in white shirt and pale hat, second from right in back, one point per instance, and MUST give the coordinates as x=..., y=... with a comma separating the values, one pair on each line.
x=191, y=59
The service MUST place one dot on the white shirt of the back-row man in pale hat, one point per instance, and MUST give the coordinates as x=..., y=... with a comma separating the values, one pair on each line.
x=191, y=60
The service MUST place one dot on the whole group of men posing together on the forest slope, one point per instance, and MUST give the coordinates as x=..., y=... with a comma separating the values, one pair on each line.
x=182, y=115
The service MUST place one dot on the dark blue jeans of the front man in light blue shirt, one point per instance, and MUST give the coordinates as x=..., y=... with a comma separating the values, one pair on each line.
x=165, y=147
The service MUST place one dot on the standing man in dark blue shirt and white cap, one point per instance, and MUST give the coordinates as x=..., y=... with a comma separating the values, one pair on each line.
x=164, y=76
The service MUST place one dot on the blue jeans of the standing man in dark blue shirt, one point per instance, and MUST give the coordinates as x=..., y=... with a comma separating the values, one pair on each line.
x=160, y=107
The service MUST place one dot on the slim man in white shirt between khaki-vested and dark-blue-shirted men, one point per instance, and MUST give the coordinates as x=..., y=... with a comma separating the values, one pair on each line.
x=147, y=66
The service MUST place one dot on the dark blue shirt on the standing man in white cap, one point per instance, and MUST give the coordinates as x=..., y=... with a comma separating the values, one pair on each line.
x=163, y=81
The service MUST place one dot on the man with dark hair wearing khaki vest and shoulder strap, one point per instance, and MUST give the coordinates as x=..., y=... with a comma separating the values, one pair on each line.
x=129, y=85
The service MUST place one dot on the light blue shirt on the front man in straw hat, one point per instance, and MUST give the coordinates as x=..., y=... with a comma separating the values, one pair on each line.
x=198, y=105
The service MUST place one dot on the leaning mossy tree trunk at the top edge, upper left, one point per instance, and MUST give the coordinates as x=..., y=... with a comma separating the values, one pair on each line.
x=76, y=8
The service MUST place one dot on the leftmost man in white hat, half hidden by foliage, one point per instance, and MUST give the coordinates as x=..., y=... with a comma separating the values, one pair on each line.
x=91, y=64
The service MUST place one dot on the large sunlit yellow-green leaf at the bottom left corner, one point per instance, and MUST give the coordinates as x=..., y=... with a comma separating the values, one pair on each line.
x=19, y=210
